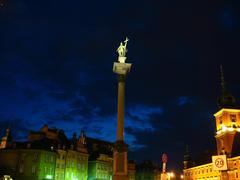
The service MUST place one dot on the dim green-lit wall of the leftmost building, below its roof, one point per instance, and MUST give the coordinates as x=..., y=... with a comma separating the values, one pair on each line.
x=27, y=164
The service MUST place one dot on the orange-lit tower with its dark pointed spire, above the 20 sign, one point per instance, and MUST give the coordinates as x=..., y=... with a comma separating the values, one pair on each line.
x=227, y=120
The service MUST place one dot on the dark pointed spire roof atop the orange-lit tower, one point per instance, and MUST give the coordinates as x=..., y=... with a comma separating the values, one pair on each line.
x=226, y=100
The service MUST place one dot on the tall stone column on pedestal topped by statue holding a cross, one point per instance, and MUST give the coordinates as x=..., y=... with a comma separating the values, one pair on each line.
x=120, y=160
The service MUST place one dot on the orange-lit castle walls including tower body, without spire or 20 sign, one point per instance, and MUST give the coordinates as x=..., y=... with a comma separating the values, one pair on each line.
x=227, y=125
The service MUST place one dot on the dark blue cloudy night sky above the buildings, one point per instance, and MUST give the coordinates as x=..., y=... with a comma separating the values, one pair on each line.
x=56, y=61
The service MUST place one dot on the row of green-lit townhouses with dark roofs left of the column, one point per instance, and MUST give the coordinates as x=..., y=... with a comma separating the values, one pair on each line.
x=49, y=154
